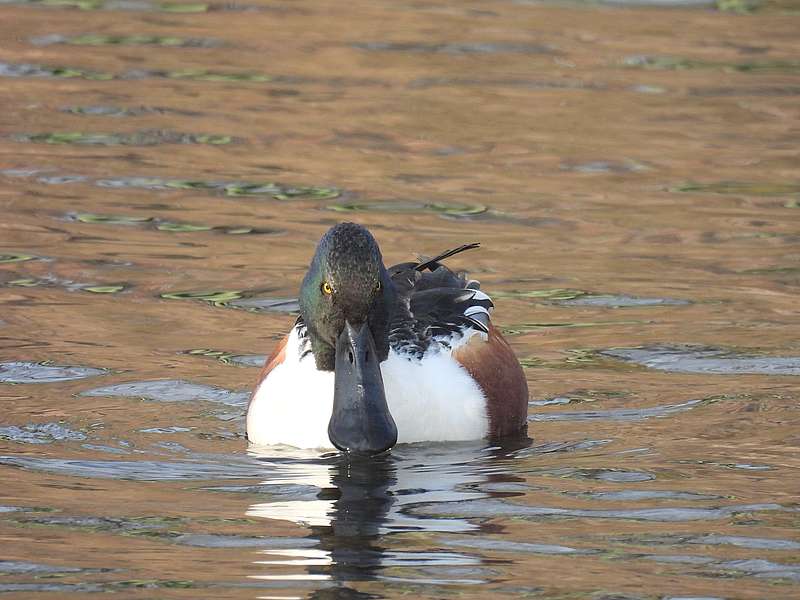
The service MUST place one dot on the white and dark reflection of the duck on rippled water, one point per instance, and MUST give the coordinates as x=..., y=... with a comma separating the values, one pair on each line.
x=352, y=506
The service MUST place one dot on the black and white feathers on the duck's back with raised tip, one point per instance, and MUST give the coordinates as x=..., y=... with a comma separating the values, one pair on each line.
x=435, y=303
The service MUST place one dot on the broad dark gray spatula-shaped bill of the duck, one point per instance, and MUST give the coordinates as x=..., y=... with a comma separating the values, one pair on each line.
x=361, y=422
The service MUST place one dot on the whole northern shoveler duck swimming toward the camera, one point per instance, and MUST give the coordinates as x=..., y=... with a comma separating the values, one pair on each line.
x=383, y=356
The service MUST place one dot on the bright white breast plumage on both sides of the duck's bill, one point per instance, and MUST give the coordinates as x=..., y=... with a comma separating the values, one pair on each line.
x=430, y=400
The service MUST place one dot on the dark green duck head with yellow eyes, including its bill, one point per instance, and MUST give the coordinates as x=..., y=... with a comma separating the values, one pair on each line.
x=346, y=302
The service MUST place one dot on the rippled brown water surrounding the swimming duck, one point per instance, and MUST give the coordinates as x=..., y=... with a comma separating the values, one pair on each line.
x=633, y=174
